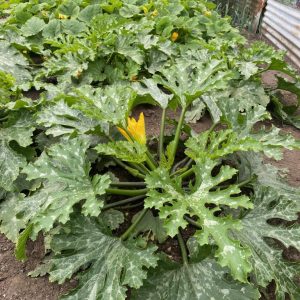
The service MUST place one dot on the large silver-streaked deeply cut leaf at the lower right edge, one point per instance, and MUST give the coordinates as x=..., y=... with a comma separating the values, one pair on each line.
x=267, y=260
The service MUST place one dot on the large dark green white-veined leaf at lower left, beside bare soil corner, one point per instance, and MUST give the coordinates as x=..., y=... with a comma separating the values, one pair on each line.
x=111, y=264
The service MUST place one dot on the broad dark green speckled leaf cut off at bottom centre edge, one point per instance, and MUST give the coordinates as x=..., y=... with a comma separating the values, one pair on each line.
x=204, y=280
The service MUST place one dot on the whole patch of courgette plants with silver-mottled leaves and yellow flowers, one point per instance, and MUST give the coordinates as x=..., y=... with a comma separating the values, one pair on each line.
x=80, y=167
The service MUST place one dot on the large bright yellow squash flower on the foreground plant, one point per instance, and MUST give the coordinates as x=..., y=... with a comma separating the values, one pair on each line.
x=136, y=129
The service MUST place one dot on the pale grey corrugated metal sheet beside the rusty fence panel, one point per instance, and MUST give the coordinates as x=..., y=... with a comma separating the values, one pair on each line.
x=281, y=26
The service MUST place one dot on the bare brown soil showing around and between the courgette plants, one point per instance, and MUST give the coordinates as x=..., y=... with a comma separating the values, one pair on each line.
x=16, y=285
